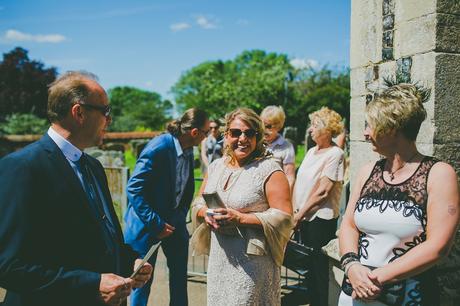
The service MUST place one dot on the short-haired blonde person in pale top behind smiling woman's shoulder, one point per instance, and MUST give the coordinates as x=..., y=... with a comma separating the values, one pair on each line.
x=273, y=117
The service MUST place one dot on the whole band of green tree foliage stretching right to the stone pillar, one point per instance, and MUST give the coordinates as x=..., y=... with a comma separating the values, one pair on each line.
x=256, y=79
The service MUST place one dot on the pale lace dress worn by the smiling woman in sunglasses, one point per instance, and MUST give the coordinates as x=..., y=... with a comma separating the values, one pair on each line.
x=234, y=277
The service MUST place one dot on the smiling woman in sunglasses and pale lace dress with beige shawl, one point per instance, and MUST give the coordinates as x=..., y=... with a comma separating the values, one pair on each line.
x=249, y=236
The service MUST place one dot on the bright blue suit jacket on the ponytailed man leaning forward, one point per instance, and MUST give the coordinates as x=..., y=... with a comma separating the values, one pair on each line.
x=152, y=196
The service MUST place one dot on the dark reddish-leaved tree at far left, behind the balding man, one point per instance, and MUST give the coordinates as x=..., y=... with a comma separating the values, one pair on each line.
x=23, y=84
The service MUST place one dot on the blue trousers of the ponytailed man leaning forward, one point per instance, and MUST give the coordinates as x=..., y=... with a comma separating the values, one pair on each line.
x=175, y=248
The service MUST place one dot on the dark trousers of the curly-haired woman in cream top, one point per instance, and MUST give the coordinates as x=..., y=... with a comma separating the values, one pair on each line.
x=316, y=234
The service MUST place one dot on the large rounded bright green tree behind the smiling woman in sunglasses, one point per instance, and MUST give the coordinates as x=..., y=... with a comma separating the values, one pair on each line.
x=253, y=79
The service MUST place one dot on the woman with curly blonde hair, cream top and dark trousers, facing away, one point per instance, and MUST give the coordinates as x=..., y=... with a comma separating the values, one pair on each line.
x=316, y=196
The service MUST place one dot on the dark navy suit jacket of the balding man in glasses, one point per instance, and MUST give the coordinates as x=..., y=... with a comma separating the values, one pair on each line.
x=52, y=250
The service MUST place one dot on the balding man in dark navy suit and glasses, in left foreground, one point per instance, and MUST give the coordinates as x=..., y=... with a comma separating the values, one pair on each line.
x=60, y=241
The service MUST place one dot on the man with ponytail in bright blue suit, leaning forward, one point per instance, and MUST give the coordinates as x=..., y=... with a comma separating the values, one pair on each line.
x=160, y=192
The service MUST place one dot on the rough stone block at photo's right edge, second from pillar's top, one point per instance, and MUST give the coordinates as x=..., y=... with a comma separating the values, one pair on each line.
x=448, y=33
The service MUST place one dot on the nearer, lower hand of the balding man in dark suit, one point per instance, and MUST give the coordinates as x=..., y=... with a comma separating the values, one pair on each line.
x=114, y=289
